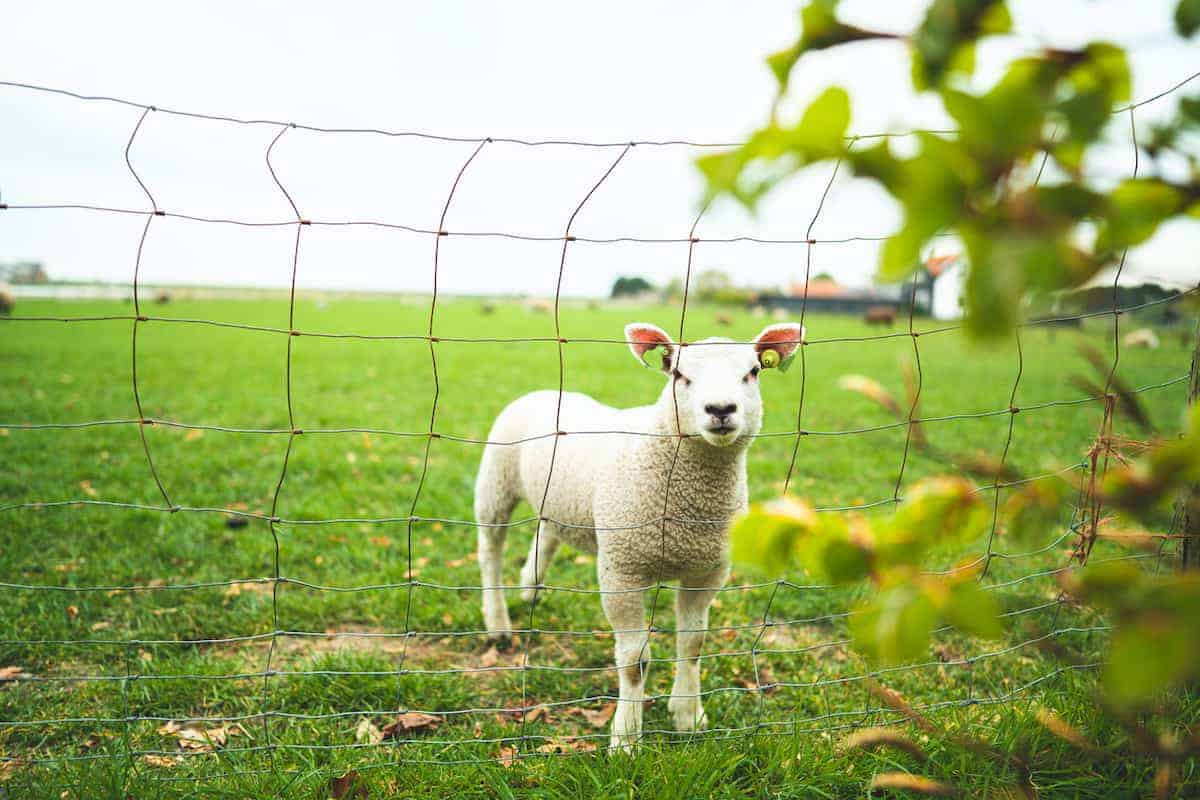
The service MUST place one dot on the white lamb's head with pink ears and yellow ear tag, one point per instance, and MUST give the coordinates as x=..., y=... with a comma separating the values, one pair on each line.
x=713, y=388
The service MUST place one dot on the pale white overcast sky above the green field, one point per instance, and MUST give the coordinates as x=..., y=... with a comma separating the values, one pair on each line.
x=597, y=73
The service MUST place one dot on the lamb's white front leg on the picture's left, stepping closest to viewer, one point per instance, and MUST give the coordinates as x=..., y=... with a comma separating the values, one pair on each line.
x=627, y=613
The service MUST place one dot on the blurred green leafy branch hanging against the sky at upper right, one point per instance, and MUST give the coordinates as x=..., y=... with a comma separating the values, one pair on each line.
x=1019, y=236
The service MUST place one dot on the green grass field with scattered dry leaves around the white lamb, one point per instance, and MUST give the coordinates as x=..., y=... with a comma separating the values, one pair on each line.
x=111, y=667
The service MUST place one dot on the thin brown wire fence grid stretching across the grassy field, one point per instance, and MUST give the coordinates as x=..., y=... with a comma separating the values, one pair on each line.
x=437, y=748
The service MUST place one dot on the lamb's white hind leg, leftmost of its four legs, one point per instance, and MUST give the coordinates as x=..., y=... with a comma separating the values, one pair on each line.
x=495, y=501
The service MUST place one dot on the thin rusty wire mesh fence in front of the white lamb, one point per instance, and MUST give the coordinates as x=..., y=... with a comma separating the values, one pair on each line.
x=766, y=636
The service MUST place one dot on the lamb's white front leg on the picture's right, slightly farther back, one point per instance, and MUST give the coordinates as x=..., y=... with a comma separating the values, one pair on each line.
x=693, y=600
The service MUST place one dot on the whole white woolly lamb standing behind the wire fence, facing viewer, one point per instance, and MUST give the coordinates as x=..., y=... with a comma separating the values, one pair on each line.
x=609, y=497
